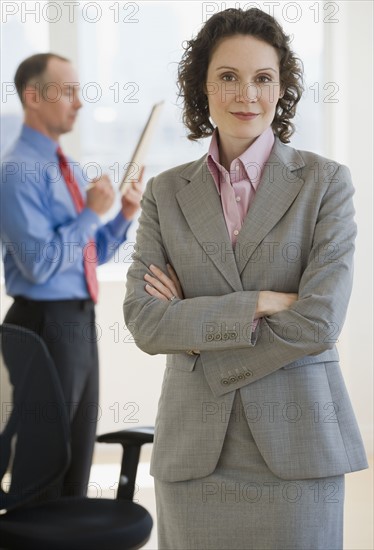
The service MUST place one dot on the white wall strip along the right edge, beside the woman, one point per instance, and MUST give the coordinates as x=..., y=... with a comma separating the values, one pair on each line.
x=349, y=53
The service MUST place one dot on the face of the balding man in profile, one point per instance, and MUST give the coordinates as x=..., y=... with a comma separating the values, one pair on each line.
x=57, y=102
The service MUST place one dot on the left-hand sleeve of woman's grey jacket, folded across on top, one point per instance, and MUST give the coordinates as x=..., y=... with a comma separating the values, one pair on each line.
x=180, y=325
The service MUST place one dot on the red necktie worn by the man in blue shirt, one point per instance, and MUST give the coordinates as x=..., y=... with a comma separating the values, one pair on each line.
x=89, y=263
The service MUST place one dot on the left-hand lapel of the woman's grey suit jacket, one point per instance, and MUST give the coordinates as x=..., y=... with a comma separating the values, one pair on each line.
x=201, y=206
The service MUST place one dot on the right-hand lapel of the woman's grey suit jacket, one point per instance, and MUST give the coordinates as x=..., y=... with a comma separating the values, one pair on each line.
x=278, y=188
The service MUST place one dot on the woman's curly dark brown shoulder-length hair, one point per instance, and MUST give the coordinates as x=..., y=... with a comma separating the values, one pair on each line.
x=193, y=68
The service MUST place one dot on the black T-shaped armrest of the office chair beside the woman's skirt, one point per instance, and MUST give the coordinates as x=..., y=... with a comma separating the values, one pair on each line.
x=131, y=441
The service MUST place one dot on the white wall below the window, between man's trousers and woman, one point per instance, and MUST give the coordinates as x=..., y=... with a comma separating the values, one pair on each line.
x=130, y=380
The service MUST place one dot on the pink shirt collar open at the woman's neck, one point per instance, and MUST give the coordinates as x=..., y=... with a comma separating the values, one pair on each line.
x=251, y=162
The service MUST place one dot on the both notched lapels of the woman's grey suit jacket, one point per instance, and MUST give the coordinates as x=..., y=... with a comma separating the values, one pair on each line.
x=201, y=206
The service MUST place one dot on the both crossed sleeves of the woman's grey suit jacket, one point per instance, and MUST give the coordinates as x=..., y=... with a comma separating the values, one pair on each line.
x=310, y=327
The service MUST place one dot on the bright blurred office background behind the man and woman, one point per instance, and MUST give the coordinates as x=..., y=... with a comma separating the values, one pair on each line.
x=126, y=55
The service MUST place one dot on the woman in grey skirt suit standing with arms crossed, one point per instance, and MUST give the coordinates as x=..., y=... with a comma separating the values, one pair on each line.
x=254, y=430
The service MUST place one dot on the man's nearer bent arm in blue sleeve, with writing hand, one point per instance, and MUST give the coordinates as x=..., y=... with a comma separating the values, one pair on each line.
x=40, y=248
